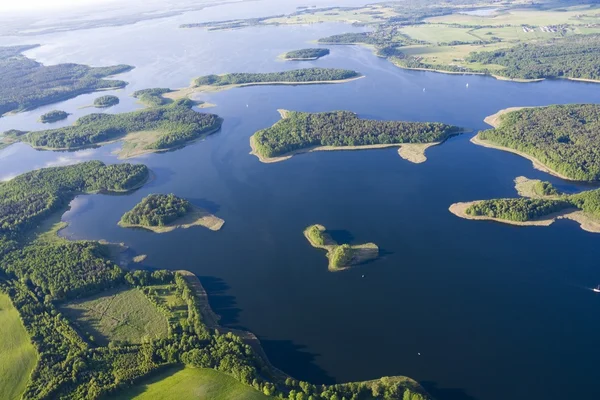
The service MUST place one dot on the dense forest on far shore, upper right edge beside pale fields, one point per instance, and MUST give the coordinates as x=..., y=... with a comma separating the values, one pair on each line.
x=568, y=57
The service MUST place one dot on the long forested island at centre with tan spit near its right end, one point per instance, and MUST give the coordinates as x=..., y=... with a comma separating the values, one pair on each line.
x=299, y=132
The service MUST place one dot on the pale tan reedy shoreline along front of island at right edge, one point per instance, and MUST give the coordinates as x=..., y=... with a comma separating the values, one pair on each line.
x=586, y=222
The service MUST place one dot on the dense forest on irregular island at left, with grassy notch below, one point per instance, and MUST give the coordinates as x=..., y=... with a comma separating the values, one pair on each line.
x=177, y=122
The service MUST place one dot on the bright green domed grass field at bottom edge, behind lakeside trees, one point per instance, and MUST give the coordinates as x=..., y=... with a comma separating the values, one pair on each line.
x=191, y=384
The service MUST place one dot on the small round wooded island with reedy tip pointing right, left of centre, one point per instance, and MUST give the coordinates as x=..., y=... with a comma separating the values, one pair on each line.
x=162, y=213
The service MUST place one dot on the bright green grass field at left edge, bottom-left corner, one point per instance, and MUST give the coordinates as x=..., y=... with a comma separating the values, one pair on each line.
x=17, y=355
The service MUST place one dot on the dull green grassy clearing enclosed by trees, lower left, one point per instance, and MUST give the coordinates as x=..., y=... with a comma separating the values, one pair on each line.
x=117, y=315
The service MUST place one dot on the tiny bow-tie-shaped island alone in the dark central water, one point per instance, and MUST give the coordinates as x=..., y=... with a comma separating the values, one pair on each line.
x=343, y=256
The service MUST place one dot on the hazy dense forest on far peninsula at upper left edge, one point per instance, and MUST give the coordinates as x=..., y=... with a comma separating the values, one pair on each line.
x=26, y=84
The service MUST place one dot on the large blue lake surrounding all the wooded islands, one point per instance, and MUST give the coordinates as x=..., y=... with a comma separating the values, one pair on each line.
x=496, y=312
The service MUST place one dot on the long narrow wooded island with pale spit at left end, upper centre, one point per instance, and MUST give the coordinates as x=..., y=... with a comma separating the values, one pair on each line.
x=306, y=76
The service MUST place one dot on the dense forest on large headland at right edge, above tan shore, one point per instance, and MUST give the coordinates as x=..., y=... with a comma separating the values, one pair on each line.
x=566, y=138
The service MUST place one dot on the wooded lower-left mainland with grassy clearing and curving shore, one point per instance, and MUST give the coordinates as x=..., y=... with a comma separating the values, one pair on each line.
x=150, y=319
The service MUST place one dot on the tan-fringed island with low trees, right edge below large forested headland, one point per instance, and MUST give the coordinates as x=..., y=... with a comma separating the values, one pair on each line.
x=541, y=205
